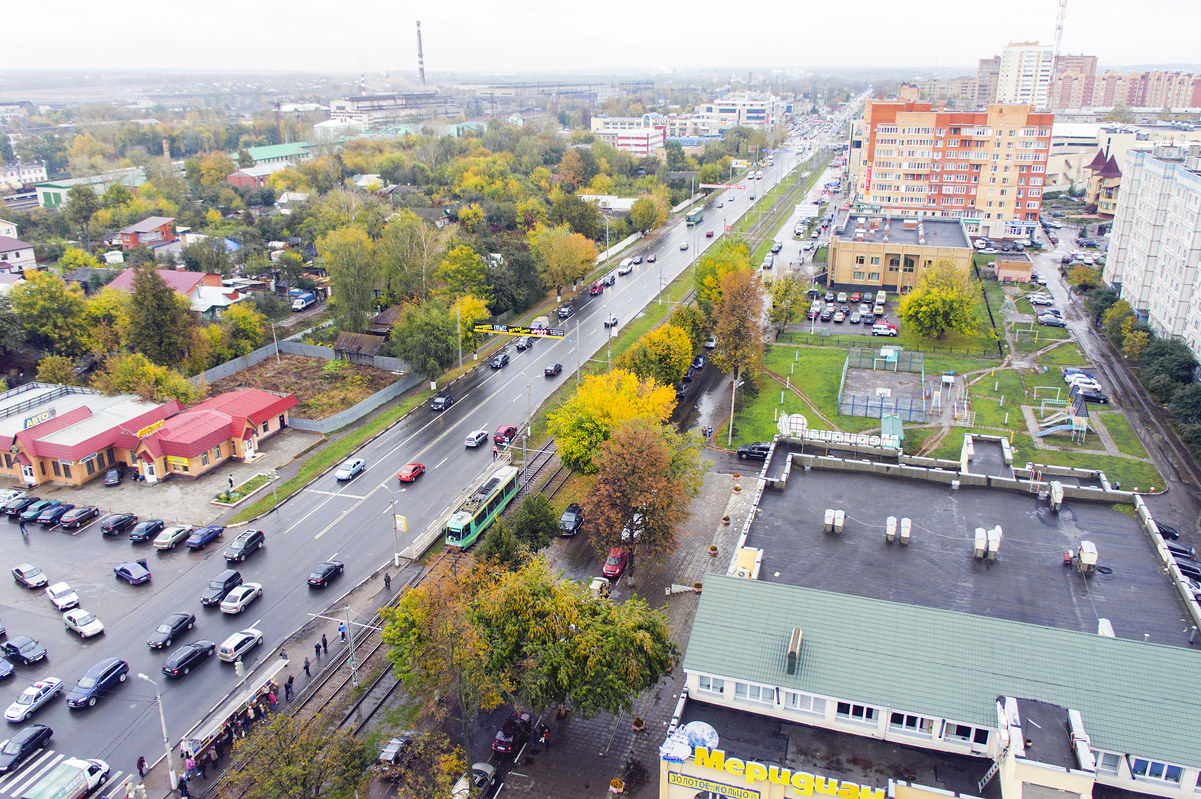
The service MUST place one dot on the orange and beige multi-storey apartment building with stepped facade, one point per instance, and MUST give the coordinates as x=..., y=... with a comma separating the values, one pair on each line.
x=987, y=168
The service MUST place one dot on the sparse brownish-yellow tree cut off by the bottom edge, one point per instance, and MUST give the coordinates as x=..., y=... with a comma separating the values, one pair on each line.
x=291, y=758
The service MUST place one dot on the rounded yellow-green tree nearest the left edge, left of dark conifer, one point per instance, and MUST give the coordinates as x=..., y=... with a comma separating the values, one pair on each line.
x=52, y=314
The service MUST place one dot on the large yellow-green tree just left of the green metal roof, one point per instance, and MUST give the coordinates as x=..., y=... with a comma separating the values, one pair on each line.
x=559, y=646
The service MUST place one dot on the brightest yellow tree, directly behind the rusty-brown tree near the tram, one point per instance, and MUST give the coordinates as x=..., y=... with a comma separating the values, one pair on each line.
x=604, y=402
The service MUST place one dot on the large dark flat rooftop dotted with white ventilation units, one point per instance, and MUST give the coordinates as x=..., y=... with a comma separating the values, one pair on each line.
x=1026, y=583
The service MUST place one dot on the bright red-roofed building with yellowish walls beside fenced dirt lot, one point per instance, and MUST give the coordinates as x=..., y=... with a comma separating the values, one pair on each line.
x=202, y=438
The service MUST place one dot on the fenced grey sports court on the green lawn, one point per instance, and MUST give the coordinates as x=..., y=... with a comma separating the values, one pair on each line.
x=888, y=380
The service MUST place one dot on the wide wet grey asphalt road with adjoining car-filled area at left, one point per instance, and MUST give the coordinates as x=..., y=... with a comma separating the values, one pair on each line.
x=348, y=522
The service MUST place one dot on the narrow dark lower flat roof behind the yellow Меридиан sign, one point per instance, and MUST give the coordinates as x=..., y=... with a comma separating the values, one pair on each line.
x=832, y=754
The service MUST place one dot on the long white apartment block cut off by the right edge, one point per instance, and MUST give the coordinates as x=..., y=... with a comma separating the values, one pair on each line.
x=1155, y=255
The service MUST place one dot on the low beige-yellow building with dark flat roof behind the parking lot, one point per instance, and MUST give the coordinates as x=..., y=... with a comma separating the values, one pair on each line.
x=893, y=253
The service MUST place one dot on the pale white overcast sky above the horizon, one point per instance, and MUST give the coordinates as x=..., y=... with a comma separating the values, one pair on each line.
x=566, y=35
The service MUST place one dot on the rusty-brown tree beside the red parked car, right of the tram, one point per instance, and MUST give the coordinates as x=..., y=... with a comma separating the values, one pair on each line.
x=647, y=476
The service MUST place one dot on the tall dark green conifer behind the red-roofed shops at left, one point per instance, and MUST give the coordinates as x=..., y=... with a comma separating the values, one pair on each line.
x=159, y=321
